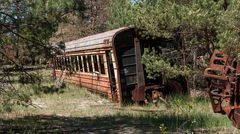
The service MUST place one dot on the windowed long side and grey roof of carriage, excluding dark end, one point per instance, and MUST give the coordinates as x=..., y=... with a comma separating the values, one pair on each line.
x=89, y=58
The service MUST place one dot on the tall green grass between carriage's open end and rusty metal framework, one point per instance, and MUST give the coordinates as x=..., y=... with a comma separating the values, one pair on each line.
x=183, y=113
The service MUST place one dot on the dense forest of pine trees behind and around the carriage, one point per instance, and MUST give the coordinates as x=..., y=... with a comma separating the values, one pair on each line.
x=29, y=27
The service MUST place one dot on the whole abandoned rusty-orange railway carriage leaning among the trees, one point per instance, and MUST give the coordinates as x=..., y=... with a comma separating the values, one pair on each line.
x=109, y=63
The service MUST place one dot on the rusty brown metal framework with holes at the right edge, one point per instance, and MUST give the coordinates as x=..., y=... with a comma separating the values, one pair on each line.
x=223, y=74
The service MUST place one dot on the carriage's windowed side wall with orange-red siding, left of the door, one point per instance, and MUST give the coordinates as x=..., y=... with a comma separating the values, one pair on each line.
x=86, y=76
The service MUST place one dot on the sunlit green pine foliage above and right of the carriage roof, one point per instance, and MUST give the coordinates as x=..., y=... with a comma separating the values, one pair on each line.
x=200, y=22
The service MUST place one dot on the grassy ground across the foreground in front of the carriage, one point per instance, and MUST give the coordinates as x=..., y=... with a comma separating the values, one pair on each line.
x=76, y=110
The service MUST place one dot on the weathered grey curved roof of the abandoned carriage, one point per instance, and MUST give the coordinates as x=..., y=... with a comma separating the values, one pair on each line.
x=93, y=41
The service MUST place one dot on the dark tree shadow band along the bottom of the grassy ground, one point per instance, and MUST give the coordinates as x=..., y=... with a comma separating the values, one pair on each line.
x=107, y=124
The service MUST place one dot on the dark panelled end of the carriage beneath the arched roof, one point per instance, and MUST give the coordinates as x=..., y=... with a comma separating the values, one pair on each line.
x=125, y=55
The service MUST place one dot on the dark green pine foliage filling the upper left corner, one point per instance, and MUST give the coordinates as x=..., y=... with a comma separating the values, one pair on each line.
x=28, y=25
